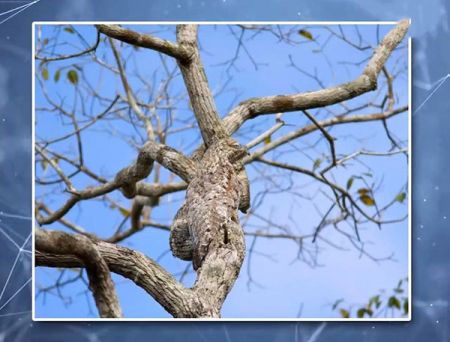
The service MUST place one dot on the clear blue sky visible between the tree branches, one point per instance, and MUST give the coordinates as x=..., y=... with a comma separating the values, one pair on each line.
x=287, y=285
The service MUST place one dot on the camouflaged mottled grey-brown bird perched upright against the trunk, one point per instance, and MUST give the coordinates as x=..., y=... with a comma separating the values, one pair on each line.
x=212, y=199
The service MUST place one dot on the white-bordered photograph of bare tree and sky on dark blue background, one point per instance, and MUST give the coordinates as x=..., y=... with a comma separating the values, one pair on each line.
x=222, y=171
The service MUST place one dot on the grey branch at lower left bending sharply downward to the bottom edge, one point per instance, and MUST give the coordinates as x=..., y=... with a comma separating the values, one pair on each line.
x=82, y=247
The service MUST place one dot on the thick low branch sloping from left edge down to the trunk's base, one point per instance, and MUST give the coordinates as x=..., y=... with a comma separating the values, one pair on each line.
x=59, y=249
